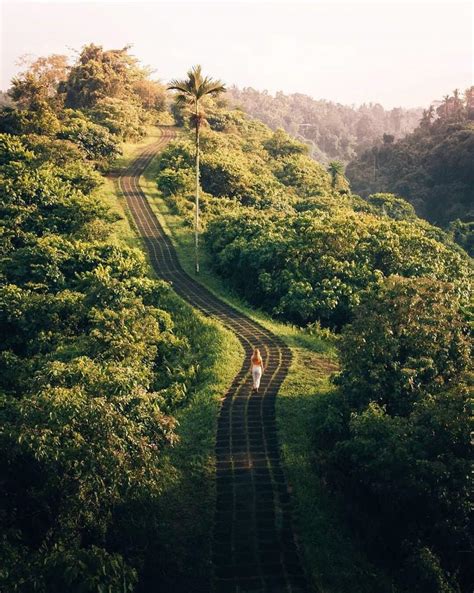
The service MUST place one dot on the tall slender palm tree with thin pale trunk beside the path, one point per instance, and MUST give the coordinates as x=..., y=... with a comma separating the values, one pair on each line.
x=191, y=91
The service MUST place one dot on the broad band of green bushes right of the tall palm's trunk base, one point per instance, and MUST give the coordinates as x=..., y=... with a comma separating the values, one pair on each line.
x=313, y=265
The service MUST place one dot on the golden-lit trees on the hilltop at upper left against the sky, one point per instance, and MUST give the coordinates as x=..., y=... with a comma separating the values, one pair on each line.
x=103, y=98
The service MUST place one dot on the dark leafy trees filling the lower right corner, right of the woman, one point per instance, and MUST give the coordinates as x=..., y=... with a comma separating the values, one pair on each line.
x=393, y=441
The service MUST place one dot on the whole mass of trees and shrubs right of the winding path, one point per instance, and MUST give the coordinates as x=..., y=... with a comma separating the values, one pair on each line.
x=393, y=439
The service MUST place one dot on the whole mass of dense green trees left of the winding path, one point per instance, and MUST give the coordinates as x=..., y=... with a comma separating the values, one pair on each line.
x=96, y=357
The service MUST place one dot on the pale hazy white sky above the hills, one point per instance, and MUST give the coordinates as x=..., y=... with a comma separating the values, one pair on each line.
x=394, y=53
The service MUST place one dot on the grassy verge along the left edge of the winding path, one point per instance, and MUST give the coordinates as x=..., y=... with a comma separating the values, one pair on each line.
x=181, y=560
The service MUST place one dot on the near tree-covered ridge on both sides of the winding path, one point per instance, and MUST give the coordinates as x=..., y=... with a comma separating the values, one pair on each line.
x=110, y=385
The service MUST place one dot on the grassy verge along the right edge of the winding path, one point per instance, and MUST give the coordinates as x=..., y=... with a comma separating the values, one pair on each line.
x=332, y=559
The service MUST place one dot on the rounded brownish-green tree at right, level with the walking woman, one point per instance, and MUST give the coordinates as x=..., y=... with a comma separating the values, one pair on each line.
x=407, y=340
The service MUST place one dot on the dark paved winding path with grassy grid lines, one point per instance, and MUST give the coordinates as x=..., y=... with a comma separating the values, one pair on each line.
x=254, y=548
